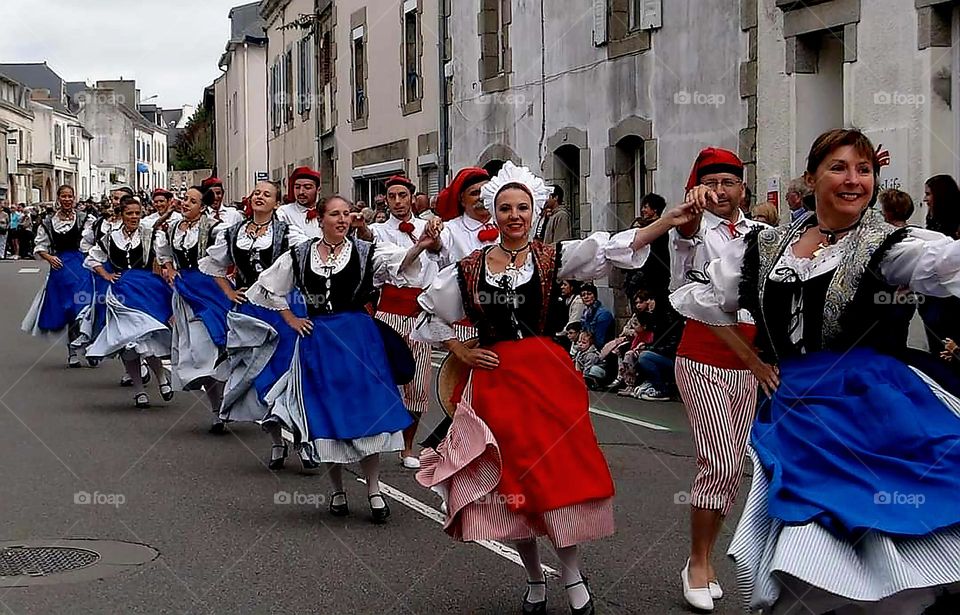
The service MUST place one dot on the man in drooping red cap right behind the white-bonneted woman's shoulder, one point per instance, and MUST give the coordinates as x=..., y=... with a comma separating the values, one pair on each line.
x=468, y=224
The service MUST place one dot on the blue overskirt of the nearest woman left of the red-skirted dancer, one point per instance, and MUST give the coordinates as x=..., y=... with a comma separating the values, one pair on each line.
x=347, y=388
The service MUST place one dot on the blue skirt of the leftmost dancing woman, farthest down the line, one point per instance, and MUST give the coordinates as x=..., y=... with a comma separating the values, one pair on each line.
x=68, y=290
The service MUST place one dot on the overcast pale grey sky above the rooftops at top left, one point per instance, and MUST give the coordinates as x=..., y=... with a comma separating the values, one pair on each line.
x=171, y=47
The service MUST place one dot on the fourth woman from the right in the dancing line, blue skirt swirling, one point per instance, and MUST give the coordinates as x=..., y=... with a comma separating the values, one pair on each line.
x=259, y=343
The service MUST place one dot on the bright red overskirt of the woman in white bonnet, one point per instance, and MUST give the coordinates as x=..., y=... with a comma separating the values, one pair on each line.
x=536, y=405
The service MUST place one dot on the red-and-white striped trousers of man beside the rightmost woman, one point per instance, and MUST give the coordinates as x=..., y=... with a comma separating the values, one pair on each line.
x=720, y=406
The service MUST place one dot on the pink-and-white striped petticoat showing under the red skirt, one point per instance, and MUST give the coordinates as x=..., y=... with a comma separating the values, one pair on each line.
x=467, y=475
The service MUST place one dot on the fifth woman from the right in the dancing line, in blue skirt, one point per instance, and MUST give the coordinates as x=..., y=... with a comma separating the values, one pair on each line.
x=199, y=305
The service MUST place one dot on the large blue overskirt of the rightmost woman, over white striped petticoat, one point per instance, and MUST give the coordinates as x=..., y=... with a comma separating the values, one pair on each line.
x=856, y=443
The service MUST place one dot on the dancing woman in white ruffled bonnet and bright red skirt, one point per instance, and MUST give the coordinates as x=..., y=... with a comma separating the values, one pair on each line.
x=523, y=461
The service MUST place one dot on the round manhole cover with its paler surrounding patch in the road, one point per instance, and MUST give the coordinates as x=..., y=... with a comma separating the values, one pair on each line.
x=28, y=563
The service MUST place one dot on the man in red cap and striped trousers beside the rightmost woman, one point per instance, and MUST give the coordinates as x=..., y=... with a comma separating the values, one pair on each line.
x=718, y=390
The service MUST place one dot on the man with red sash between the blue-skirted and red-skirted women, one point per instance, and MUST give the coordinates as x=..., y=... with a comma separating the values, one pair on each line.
x=398, y=302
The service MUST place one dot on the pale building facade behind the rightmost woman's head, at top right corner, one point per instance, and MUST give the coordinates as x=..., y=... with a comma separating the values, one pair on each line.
x=885, y=66
